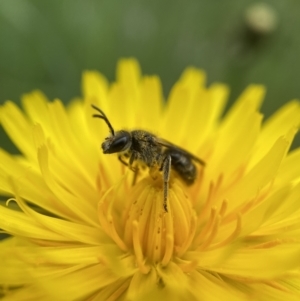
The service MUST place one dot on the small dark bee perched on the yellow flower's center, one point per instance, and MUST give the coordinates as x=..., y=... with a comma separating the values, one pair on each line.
x=137, y=149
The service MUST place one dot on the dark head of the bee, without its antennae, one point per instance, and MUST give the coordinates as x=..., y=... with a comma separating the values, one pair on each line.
x=119, y=142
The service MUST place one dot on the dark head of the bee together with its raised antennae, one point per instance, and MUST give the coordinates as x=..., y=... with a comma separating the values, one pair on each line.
x=117, y=141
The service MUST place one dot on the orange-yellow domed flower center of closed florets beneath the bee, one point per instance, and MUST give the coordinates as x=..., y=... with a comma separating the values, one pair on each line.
x=135, y=219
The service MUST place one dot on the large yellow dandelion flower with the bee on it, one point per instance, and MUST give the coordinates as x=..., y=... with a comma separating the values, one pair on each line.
x=81, y=231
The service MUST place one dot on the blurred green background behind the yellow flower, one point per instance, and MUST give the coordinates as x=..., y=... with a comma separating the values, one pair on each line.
x=47, y=44
